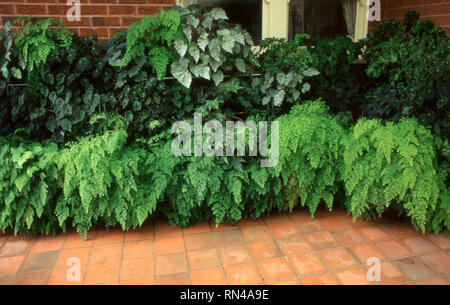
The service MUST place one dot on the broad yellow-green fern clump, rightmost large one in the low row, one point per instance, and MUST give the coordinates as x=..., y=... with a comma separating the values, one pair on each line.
x=391, y=166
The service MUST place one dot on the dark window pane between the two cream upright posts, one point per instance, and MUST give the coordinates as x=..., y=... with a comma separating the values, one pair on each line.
x=316, y=17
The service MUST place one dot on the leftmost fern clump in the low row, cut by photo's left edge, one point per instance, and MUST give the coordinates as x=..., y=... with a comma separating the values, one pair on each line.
x=28, y=182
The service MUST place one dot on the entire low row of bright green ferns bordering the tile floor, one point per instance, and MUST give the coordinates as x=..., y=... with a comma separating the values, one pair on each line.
x=100, y=180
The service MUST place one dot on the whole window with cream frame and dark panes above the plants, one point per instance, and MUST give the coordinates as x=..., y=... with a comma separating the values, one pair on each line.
x=285, y=18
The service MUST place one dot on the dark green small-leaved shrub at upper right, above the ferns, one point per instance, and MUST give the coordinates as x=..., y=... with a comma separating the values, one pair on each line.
x=409, y=64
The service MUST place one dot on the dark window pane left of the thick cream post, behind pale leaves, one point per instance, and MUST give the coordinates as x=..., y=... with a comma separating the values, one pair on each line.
x=246, y=13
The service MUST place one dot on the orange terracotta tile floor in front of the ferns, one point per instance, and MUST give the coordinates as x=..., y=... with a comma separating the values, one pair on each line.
x=279, y=249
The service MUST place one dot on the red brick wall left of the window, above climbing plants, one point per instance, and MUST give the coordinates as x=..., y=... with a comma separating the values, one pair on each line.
x=103, y=17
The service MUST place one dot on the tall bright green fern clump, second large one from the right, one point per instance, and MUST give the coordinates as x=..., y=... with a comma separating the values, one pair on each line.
x=309, y=156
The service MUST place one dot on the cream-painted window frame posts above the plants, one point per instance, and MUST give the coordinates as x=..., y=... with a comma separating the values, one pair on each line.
x=275, y=11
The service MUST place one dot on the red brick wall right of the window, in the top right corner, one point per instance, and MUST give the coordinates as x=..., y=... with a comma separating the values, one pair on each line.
x=437, y=11
